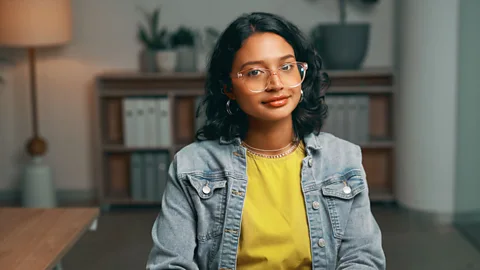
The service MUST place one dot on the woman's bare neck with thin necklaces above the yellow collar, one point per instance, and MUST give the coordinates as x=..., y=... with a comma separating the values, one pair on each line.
x=270, y=135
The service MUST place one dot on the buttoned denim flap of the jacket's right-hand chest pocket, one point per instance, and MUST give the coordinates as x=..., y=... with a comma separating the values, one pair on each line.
x=345, y=186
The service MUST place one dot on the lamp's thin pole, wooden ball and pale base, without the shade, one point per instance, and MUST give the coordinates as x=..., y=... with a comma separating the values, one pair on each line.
x=38, y=187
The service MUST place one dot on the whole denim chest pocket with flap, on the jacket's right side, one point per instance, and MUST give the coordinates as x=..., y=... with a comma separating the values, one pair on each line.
x=339, y=192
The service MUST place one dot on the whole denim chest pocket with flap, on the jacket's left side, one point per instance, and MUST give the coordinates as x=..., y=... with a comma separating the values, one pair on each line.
x=209, y=199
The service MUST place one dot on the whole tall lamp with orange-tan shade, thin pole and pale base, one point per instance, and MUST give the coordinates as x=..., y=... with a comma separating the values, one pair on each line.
x=34, y=24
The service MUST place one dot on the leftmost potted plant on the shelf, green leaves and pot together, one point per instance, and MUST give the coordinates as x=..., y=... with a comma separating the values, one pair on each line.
x=156, y=54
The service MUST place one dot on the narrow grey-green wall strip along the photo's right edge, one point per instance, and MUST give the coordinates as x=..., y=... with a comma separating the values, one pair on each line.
x=467, y=203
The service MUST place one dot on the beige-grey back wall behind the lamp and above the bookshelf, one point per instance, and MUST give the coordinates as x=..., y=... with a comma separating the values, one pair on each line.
x=104, y=38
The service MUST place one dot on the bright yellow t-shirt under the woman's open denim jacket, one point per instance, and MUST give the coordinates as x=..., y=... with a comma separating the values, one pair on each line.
x=274, y=231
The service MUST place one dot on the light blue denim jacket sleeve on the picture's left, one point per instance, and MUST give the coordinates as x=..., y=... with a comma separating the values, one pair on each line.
x=173, y=232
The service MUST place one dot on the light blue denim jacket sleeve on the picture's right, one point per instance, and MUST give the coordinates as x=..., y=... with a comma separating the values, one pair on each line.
x=361, y=247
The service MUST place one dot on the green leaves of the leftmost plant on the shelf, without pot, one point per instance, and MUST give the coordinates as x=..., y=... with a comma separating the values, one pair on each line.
x=153, y=38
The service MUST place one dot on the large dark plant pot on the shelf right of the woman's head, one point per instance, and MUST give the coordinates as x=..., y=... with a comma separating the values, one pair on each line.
x=343, y=45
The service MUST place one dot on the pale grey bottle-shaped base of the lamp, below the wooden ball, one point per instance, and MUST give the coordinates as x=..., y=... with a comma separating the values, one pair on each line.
x=38, y=187
